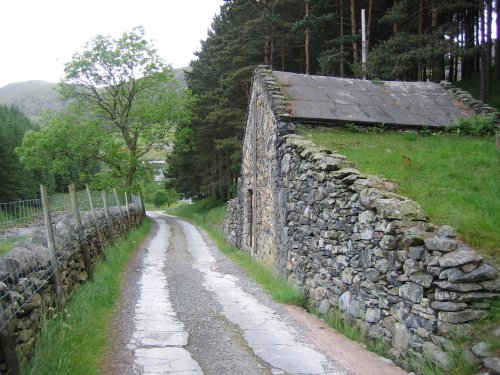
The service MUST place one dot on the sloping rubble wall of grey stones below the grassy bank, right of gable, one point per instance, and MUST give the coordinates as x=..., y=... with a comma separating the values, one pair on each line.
x=356, y=245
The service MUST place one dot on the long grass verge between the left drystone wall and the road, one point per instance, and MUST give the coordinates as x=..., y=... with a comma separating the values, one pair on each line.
x=77, y=345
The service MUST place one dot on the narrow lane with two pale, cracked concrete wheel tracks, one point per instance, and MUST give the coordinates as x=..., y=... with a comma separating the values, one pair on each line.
x=187, y=309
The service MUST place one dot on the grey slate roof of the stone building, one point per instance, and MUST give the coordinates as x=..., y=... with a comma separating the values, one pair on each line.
x=333, y=99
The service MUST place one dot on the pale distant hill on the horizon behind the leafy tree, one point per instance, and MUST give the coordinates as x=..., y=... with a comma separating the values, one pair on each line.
x=32, y=97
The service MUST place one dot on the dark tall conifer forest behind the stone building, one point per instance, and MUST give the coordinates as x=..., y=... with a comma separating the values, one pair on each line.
x=411, y=40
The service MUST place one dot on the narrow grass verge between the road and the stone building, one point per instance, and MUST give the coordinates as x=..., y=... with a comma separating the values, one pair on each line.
x=209, y=214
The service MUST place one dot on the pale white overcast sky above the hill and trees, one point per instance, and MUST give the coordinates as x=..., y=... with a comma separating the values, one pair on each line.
x=38, y=36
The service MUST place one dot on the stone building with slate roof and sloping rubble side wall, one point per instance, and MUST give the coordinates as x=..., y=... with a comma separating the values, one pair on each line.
x=347, y=239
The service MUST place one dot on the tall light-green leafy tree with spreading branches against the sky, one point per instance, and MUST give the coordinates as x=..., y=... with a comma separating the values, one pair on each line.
x=130, y=98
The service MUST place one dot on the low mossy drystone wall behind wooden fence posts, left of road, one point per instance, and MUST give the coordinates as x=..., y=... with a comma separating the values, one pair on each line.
x=27, y=266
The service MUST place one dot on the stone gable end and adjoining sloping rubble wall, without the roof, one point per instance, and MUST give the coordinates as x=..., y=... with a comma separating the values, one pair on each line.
x=352, y=243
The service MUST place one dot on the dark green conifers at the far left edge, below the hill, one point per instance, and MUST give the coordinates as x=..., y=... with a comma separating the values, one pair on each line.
x=16, y=183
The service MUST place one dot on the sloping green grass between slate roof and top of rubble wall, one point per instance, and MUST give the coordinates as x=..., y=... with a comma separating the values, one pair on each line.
x=455, y=179
